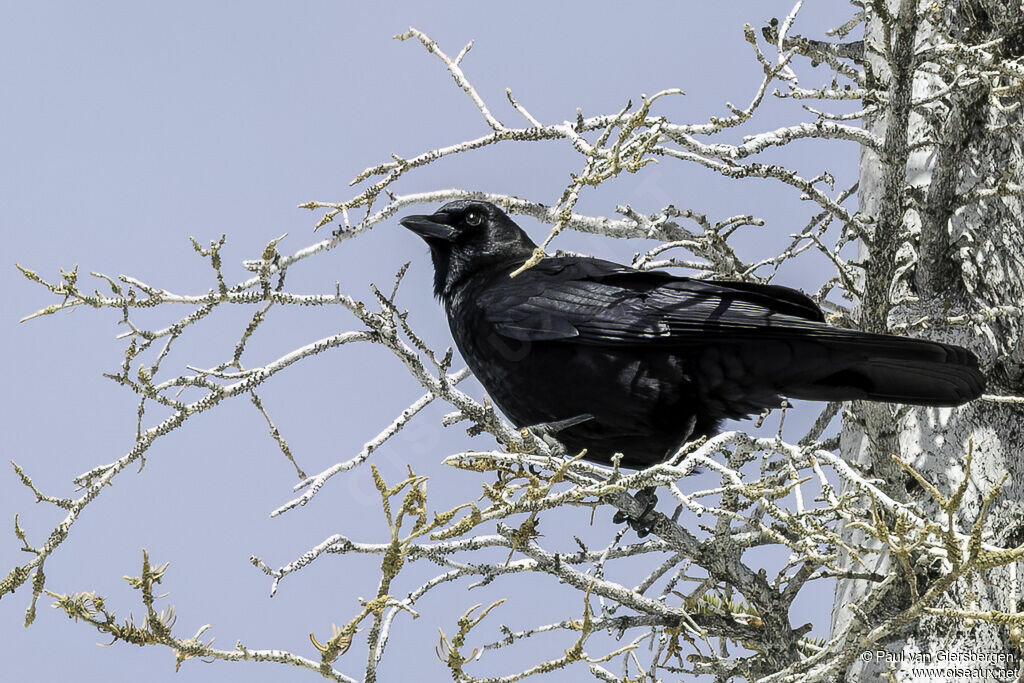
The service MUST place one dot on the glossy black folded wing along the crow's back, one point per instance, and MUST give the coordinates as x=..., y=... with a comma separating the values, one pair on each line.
x=589, y=302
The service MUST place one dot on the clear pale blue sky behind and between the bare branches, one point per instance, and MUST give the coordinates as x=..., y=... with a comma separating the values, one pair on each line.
x=126, y=127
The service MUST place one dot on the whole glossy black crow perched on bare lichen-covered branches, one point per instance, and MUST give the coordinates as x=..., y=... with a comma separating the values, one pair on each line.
x=615, y=360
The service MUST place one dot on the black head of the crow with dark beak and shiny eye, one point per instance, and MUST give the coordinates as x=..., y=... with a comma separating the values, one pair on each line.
x=467, y=236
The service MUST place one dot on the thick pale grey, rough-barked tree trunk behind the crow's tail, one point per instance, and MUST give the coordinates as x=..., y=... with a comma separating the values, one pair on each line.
x=940, y=251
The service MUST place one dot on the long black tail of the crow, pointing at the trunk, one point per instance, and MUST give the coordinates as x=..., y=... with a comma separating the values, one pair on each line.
x=900, y=370
